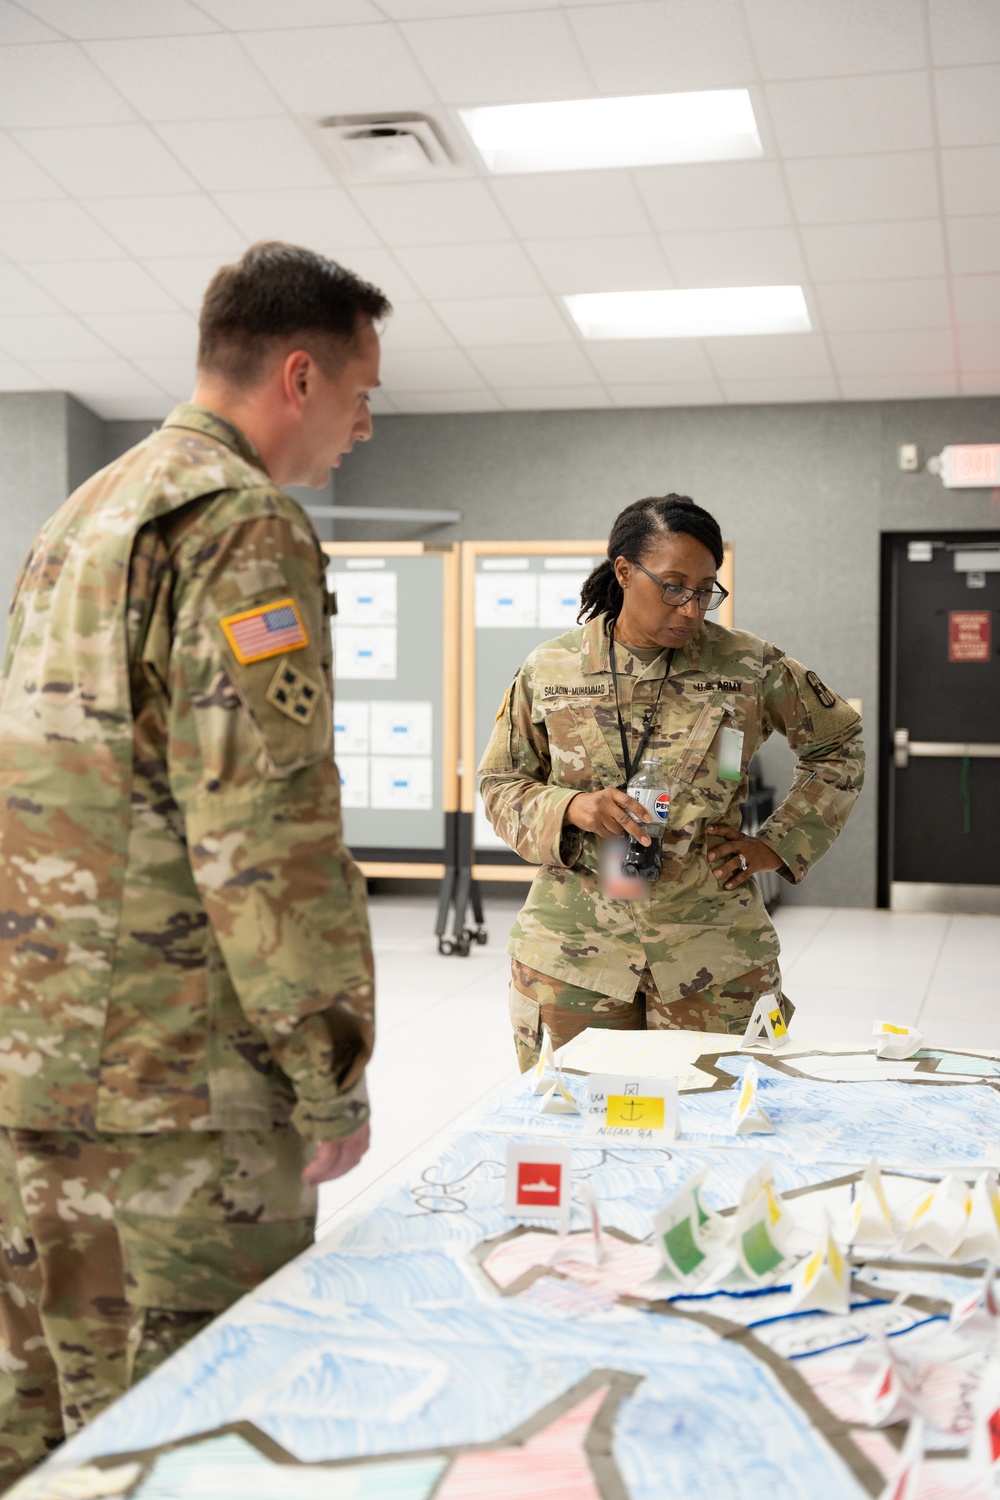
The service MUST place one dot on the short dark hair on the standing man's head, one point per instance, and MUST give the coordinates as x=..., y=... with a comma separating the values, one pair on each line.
x=274, y=296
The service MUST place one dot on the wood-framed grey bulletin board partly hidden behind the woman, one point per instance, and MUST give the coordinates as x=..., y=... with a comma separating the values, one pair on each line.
x=515, y=596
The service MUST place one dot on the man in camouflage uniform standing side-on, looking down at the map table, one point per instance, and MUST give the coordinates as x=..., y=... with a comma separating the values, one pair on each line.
x=187, y=1003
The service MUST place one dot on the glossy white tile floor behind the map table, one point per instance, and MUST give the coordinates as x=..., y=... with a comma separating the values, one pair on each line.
x=445, y=1039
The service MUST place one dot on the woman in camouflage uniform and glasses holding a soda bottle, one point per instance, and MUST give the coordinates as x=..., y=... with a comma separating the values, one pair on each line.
x=648, y=674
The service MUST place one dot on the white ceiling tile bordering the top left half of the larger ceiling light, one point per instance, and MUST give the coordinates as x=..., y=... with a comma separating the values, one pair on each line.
x=500, y=59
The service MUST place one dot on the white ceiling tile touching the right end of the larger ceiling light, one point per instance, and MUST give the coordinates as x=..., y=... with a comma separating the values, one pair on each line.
x=846, y=116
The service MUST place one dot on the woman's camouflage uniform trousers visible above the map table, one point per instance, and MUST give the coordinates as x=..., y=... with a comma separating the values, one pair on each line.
x=537, y=1000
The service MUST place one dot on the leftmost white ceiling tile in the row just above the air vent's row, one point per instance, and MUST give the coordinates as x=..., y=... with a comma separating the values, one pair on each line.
x=56, y=85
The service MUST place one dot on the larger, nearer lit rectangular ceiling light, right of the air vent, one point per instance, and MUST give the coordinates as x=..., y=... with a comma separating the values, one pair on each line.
x=648, y=130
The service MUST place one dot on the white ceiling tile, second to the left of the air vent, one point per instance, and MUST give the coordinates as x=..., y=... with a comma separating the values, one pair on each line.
x=107, y=161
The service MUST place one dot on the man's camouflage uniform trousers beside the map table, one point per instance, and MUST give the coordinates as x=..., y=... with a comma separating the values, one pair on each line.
x=116, y=1250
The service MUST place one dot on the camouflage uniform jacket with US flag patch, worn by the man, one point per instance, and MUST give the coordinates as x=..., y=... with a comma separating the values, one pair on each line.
x=184, y=938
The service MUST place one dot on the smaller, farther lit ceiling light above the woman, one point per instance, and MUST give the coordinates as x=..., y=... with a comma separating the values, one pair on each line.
x=690, y=314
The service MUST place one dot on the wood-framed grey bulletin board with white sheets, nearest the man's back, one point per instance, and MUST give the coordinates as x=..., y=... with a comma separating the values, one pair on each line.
x=397, y=673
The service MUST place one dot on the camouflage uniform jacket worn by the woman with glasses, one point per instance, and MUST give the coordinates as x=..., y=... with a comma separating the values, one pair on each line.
x=557, y=734
